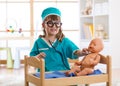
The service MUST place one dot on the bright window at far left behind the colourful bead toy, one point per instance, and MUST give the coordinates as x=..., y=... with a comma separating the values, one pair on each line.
x=14, y=16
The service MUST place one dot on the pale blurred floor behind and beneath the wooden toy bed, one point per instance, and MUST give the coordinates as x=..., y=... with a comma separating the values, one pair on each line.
x=15, y=77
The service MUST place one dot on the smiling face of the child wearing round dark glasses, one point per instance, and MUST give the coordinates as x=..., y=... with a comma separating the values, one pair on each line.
x=52, y=26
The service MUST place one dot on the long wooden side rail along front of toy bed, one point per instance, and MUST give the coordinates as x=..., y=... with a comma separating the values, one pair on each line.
x=77, y=80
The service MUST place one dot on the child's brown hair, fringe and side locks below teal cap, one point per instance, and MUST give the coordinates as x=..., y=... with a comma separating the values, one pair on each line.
x=60, y=34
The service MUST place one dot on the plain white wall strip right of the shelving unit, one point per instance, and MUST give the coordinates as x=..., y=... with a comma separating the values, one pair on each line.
x=115, y=32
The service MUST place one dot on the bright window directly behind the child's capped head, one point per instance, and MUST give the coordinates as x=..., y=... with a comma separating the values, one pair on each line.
x=69, y=9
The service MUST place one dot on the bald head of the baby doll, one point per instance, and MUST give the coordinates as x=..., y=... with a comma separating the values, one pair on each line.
x=96, y=45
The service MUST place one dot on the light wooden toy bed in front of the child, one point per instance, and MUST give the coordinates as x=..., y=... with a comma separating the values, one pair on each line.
x=87, y=80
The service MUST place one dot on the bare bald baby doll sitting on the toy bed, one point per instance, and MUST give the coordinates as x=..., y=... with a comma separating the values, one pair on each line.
x=86, y=66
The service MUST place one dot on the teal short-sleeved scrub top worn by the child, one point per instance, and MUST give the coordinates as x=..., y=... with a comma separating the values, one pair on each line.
x=56, y=58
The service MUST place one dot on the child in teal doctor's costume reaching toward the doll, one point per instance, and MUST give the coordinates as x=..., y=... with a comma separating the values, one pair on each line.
x=53, y=46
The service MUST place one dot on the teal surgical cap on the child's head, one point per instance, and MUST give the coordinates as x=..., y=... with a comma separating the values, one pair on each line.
x=50, y=11
